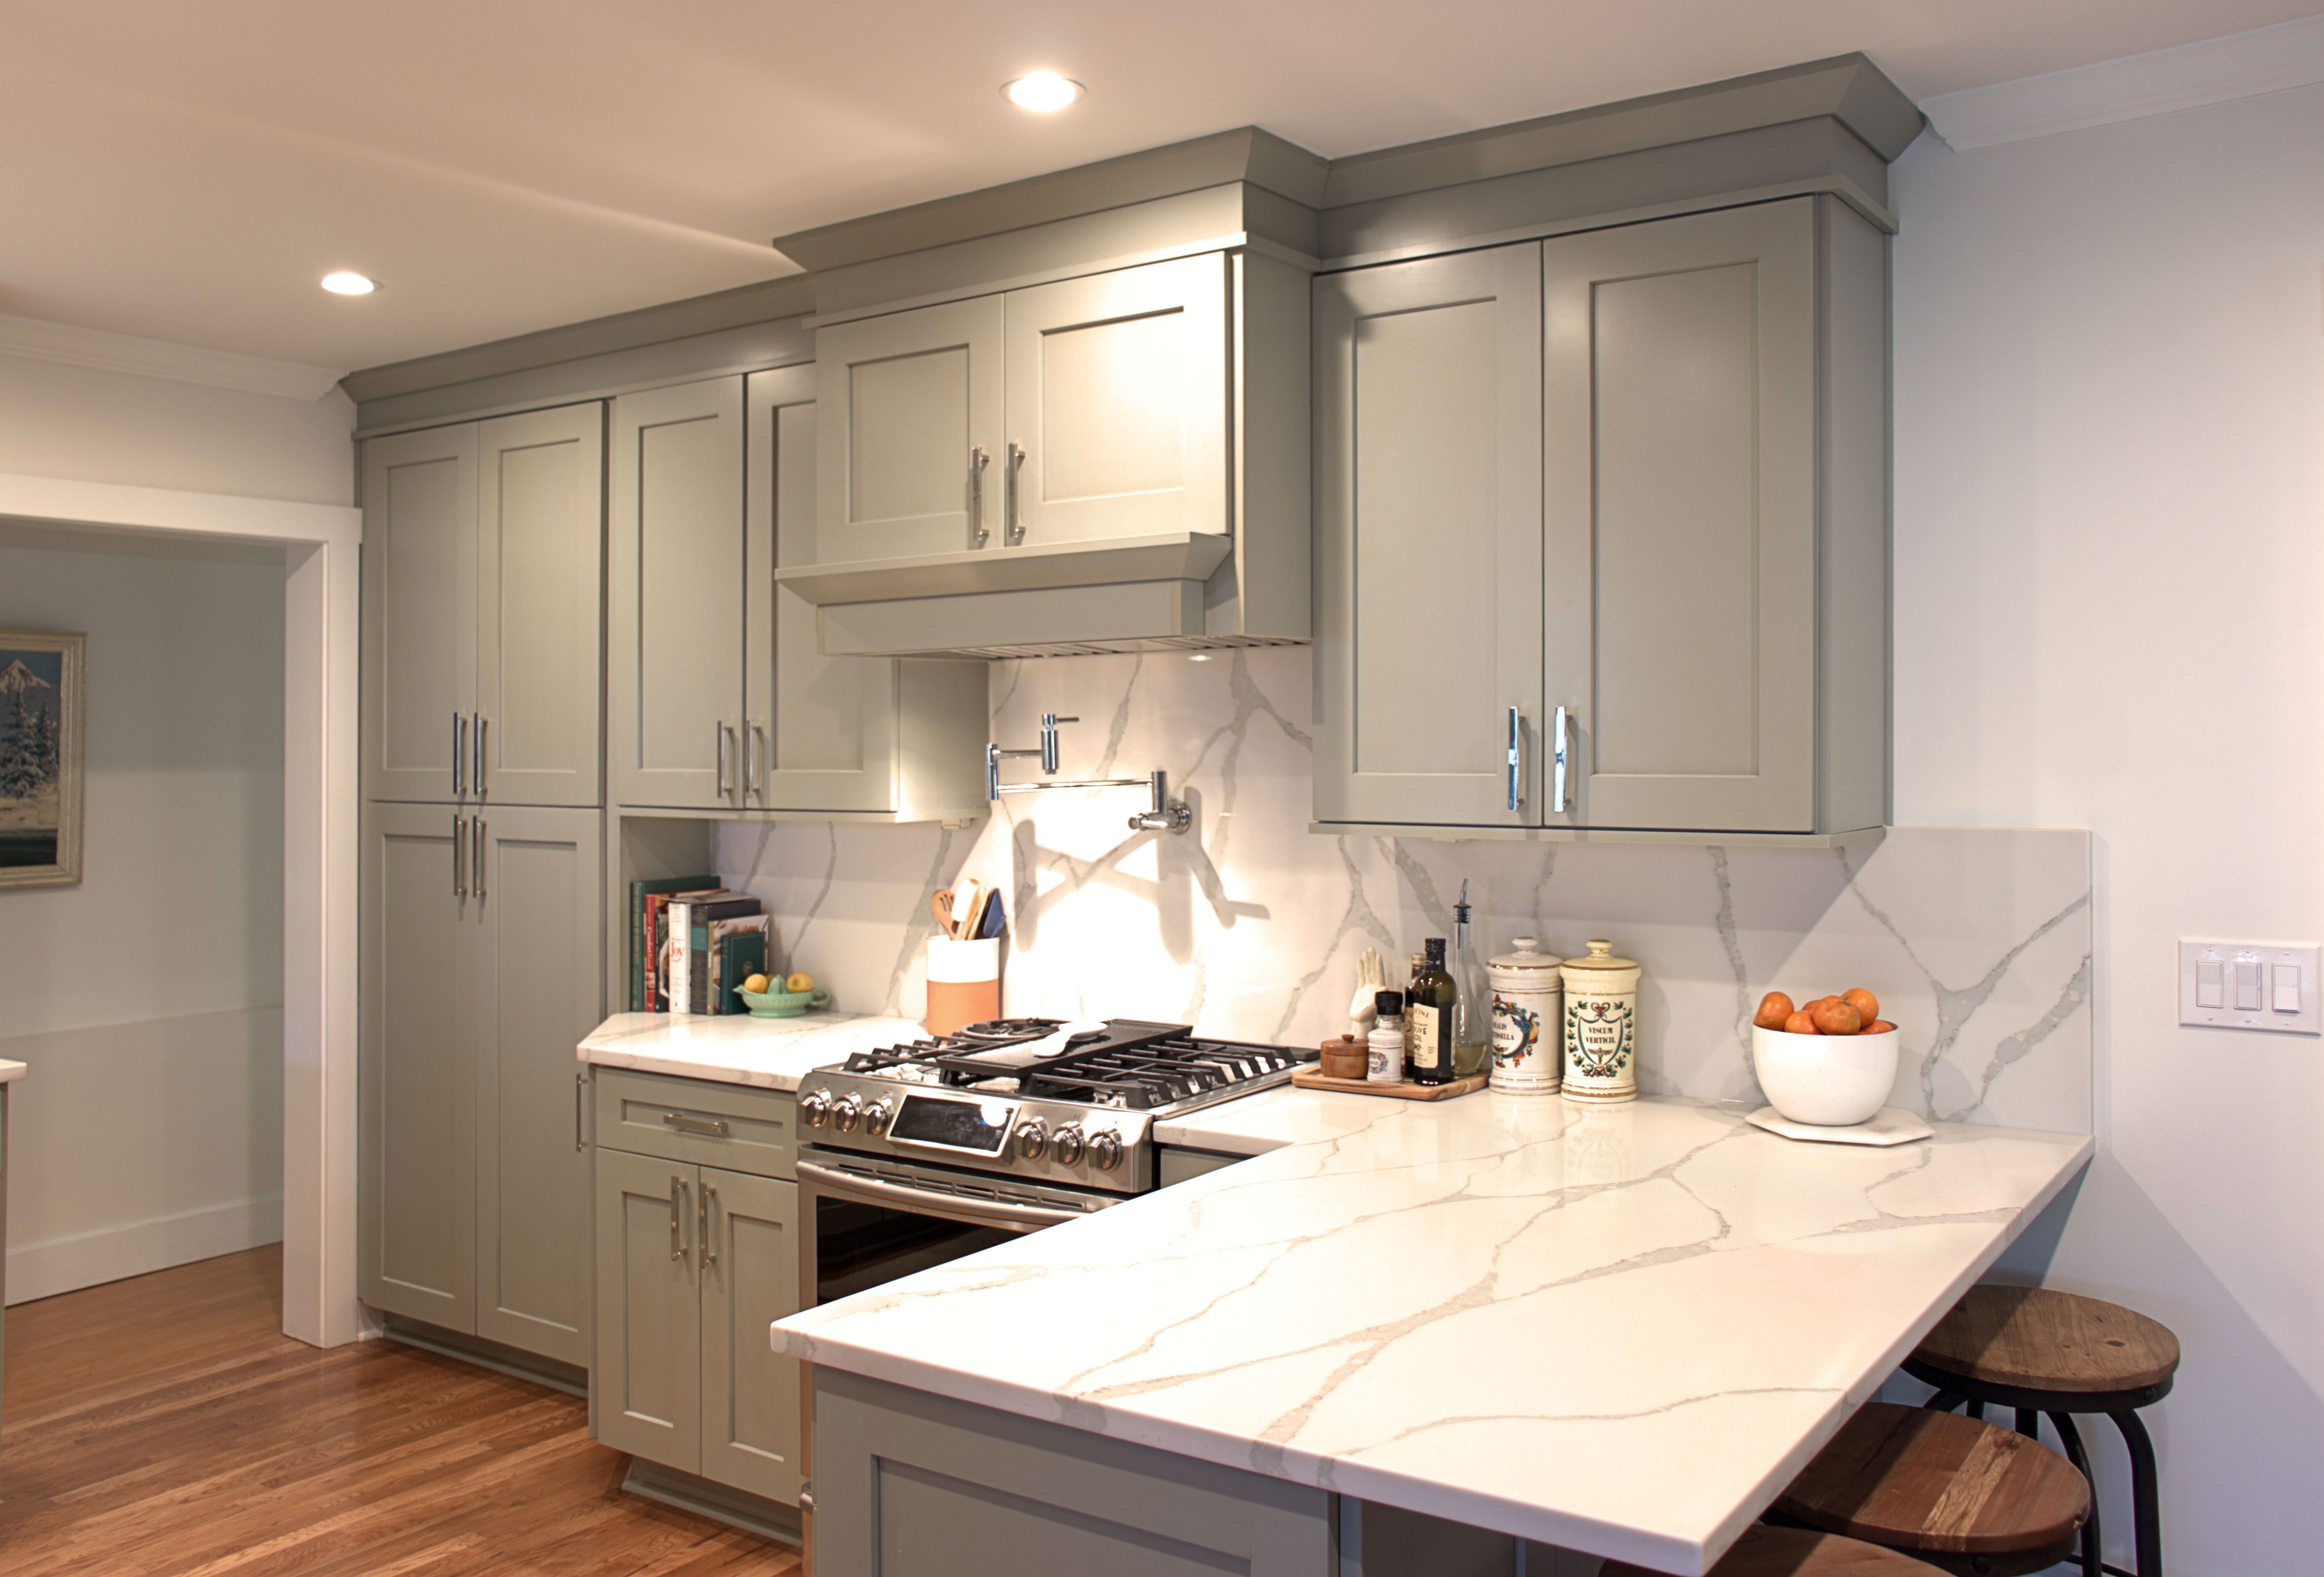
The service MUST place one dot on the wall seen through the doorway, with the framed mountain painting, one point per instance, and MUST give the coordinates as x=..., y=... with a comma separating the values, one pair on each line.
x=148, y=1000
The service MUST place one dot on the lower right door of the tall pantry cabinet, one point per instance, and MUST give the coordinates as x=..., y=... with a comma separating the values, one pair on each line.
x=536, y=958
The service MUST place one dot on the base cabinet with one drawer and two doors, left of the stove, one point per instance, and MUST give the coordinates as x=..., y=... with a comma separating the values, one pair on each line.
x=694, y=1265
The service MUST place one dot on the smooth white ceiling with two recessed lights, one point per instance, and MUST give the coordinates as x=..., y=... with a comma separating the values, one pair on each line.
x=187, y=173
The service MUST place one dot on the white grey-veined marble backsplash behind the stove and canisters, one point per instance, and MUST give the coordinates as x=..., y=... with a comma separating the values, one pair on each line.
x=1977, y=939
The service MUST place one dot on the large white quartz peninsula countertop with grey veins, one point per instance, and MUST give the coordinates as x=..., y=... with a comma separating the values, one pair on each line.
x=1616, y=1330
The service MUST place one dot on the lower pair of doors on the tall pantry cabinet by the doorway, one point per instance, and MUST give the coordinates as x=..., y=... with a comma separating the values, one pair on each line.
x=480, y=977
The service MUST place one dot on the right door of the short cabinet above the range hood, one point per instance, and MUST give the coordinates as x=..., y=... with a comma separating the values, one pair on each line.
x=1119, y=405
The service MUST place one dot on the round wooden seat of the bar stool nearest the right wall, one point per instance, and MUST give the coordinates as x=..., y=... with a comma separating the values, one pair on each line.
x=2032, y=1339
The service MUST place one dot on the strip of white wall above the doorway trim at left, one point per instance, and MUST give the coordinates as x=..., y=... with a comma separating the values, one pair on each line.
x=157, y=433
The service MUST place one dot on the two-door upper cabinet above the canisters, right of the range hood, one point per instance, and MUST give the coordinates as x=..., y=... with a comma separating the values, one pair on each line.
x=1630, y=477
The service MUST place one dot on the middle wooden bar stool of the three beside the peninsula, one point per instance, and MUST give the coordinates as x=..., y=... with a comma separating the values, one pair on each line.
x=1963, y=1495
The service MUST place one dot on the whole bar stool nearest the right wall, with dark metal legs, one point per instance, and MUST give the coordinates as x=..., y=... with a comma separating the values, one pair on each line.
x=2042, y=1351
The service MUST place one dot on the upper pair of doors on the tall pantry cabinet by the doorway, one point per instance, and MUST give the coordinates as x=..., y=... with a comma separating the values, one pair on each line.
x=480, y=610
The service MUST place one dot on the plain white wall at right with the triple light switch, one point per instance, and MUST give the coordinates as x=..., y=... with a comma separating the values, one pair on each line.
x=2109, y=547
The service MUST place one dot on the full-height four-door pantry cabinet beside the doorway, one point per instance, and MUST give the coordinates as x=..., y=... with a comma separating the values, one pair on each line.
x=482, y=872
